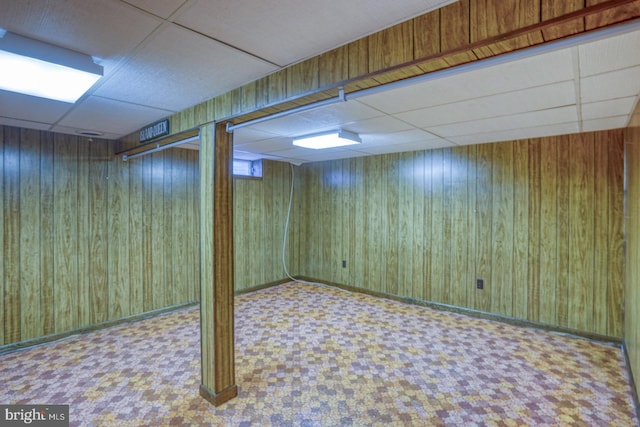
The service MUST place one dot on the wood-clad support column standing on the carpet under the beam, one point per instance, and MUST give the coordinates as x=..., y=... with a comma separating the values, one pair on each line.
x=216, y=264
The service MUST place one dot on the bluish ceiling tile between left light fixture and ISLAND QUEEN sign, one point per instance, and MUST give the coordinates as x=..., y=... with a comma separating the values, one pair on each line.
x=108, y=115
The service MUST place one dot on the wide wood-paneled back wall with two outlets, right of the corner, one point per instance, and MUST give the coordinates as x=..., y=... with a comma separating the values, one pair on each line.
x=539, y=220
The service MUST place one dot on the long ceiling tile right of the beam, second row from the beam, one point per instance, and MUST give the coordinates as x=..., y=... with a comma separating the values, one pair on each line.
x=532, y=99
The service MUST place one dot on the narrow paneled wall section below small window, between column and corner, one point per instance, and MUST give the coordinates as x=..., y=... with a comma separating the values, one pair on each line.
x=260, y=212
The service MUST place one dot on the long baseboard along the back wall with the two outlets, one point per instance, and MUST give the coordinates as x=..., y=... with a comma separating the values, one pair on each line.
x=477, y=313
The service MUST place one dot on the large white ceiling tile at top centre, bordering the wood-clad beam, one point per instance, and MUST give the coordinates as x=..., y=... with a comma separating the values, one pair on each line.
x=287, y=31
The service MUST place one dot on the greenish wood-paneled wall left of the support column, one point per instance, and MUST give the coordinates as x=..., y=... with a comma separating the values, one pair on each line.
x=87, y=238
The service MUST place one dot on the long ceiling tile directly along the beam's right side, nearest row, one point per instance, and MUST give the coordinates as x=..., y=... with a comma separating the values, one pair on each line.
x=540, y=70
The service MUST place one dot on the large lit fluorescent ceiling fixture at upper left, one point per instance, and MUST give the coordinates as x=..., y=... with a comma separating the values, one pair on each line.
x=39, y=69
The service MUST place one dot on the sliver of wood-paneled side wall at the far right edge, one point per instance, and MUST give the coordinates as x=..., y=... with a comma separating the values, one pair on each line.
x=632, y=235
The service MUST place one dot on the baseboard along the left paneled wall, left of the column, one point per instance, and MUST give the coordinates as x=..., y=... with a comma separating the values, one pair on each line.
x=9, y=348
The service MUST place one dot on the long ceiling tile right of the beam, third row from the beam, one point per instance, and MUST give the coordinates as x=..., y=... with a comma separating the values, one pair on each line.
x=517, y=121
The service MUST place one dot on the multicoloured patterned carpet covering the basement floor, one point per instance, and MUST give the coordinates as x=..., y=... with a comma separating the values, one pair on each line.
x=315, y=356
